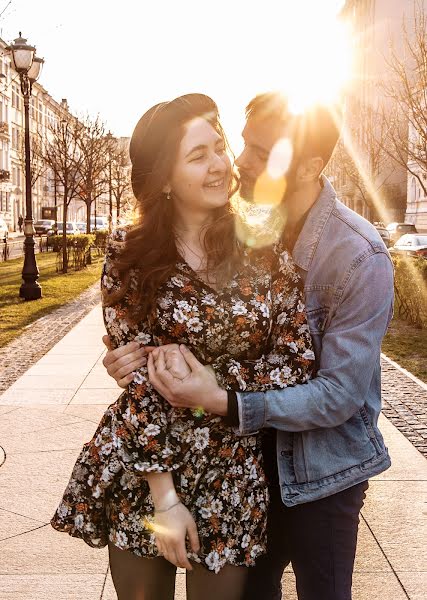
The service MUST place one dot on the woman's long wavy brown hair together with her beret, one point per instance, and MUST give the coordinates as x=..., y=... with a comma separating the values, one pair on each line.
x=150, y=250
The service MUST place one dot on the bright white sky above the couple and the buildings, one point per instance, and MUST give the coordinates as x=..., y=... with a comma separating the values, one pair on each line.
x=118, y=58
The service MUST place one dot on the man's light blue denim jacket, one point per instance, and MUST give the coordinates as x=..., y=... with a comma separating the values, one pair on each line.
x=327, y=438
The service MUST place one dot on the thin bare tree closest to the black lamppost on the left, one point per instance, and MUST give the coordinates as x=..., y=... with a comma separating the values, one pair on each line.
x=62, y=154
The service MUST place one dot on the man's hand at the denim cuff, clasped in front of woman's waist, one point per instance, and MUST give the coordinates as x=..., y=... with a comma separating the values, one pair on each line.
x=197, y=389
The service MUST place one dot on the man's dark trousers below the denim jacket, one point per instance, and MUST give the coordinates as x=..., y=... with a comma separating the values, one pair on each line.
x=319, y=538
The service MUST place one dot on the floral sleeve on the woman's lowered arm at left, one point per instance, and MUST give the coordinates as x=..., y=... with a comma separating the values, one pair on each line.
x=141, y=429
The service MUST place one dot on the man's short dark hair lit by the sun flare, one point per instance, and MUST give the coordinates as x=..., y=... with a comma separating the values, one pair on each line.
x=314, y=132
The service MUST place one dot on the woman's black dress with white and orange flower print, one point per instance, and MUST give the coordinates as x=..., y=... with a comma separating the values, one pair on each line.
x=254, y=334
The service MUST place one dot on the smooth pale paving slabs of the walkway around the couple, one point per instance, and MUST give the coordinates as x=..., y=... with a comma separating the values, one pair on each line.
x=47, y=415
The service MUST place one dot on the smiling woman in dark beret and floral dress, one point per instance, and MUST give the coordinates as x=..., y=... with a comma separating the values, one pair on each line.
x=153, y=476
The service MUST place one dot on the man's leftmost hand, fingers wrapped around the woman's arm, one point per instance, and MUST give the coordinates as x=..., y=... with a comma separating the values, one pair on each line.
x=123, y=361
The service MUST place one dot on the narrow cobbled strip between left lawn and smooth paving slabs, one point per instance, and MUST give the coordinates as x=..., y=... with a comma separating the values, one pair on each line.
x=39, y=337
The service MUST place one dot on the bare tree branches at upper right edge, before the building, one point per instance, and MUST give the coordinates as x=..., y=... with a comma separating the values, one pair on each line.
x=407, y=89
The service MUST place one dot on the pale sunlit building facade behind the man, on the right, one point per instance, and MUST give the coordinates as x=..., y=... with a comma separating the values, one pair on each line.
x=380, y=192
